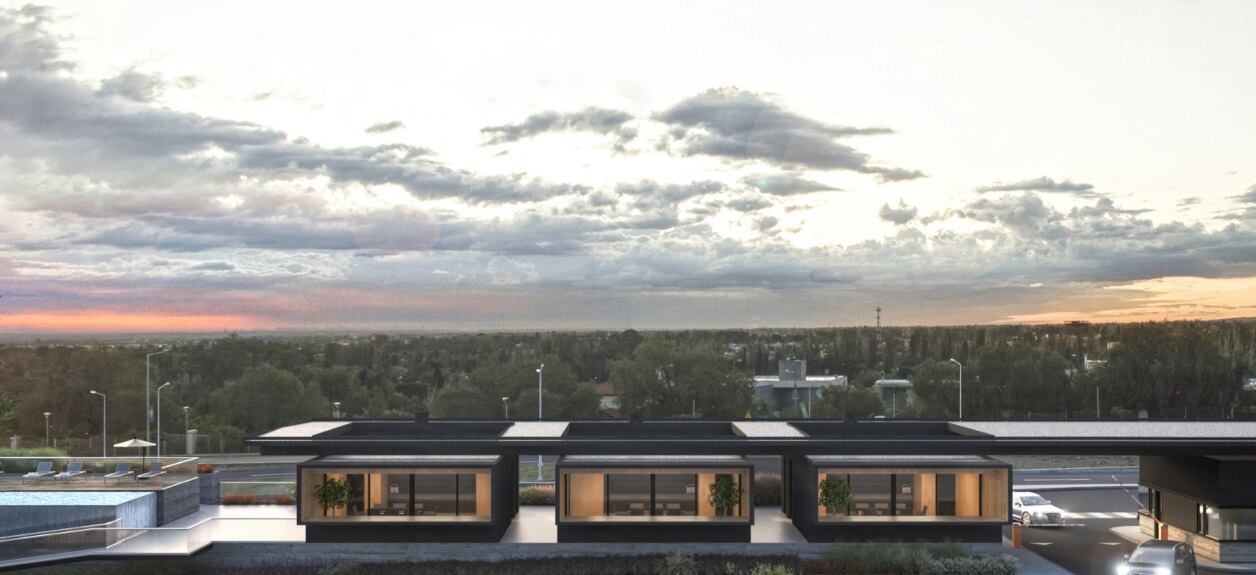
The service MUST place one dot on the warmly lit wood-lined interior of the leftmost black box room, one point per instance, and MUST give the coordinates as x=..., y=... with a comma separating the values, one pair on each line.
x=401, y=495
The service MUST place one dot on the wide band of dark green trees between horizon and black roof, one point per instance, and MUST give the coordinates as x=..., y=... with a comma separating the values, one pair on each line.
x=244, y=385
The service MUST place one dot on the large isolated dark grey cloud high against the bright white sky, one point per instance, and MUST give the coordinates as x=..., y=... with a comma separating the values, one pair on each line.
x=743, y=126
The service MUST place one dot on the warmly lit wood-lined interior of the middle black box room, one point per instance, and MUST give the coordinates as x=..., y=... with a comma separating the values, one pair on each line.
x=647, y=495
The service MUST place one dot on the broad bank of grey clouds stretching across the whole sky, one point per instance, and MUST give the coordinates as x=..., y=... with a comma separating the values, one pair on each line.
x=115, y=203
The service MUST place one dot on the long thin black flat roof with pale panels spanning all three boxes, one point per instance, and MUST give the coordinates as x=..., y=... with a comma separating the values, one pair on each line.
x=768, y=438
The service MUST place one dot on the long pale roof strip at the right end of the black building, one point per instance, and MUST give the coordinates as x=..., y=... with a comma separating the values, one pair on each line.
x=1149, y=430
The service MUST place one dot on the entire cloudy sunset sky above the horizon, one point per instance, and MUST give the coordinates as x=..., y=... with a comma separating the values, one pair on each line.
x=445, y=166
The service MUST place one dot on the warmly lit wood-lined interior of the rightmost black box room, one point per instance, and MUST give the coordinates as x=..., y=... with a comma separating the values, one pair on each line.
x=920, y=495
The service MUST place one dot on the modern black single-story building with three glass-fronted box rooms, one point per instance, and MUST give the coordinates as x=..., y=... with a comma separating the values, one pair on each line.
x=647, y=481
